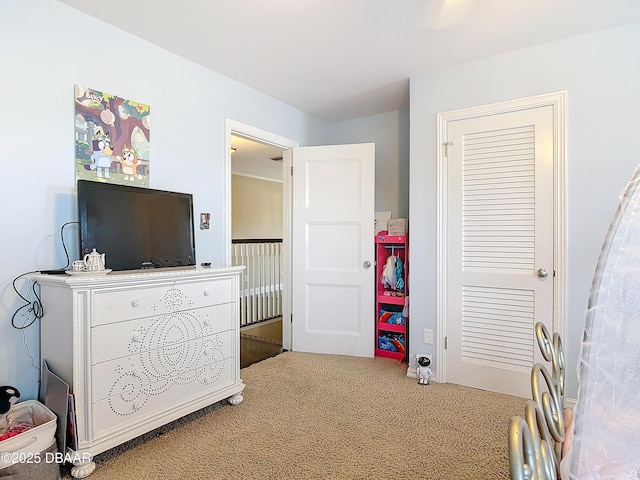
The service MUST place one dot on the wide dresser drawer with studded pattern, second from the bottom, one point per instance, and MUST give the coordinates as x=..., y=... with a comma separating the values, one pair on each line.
x=180, y=361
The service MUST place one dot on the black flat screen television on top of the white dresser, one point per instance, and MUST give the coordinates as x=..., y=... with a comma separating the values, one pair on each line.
x=135, y=227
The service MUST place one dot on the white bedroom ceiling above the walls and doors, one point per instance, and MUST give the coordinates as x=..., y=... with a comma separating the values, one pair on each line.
x=344, y=59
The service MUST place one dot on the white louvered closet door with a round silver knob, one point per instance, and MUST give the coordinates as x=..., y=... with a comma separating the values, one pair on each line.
x=500, y=238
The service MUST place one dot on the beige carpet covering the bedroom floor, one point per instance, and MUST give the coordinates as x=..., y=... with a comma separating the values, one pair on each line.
x=308, y=416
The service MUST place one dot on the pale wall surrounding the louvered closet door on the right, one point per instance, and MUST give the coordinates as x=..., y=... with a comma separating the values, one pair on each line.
x=601, y=74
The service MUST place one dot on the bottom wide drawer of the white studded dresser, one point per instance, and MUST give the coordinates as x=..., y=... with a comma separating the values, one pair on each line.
x=127, y=410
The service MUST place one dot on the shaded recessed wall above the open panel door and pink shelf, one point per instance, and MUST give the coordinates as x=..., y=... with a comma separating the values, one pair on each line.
x=390, y=133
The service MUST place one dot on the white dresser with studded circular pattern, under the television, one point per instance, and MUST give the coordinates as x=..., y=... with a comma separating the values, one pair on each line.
x=141, y=349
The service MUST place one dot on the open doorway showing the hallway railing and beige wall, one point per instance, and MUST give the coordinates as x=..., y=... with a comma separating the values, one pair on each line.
x=258, y=225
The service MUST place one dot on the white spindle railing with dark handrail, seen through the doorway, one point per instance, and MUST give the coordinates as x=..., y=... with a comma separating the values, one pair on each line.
x=261, y=281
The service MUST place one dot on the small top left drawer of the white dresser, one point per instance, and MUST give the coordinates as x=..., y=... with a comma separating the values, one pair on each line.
x=118, y=304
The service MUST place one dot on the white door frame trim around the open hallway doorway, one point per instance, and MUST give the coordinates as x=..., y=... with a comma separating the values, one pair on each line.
x=233, y=127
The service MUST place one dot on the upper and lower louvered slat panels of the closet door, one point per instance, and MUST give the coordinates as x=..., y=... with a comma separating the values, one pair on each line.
x=498, y=232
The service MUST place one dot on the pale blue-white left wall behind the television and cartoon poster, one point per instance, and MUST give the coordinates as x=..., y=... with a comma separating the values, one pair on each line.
x=47, y=47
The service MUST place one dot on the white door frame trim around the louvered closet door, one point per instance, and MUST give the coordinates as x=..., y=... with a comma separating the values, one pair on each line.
x=557, y=101
